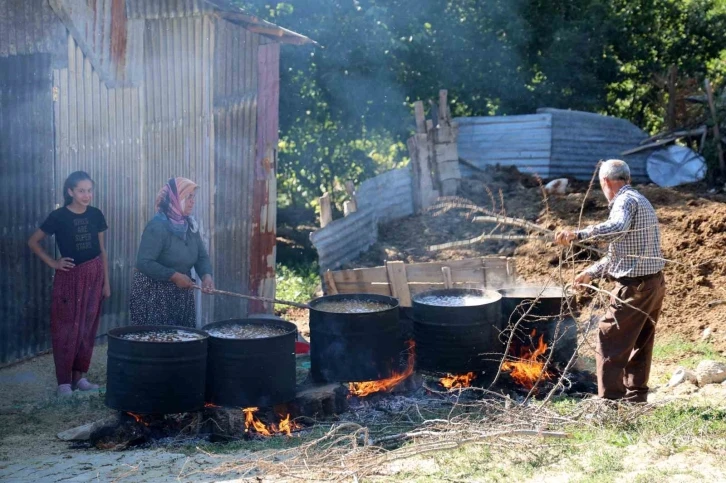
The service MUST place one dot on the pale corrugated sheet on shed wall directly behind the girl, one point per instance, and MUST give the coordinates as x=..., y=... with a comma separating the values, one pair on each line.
x=100, y=130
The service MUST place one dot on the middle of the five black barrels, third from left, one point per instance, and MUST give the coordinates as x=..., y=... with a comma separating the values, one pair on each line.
x=349, y=347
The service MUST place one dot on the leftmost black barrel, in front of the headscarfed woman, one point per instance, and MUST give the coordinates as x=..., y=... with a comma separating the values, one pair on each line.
x=155, y=377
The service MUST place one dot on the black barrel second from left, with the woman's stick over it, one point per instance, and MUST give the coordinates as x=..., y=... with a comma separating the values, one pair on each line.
x=251, y=372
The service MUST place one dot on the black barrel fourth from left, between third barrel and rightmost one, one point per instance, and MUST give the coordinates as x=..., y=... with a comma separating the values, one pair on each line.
x=458, y=339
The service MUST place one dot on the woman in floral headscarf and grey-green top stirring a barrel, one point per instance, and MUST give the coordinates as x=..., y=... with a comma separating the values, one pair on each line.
x=170, y=246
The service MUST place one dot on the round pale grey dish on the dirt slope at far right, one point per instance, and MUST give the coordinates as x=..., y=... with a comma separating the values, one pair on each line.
x=675, y=165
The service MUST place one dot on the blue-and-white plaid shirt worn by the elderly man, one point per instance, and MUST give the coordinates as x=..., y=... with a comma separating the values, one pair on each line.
x=634, y=236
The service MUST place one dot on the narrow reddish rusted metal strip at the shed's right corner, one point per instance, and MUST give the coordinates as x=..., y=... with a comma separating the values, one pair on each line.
x=264, y=191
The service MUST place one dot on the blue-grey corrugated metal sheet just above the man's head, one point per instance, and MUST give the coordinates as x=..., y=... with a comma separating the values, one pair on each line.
x=581, y=139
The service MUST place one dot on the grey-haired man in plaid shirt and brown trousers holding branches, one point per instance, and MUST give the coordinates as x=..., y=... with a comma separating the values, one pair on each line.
x=634, y=261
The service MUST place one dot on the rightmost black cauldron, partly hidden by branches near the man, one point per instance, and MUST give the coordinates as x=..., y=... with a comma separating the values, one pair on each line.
x=544, y=310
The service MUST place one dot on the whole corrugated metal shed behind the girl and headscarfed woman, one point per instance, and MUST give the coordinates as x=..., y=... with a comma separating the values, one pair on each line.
x=179, y=88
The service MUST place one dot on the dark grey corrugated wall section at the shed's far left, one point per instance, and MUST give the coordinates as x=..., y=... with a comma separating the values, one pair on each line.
x=27, y=189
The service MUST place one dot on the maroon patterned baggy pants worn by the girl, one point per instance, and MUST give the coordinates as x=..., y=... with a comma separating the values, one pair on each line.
x=75, y=314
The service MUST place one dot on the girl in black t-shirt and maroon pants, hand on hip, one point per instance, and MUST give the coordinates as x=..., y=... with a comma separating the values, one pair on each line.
x=80, y=283
